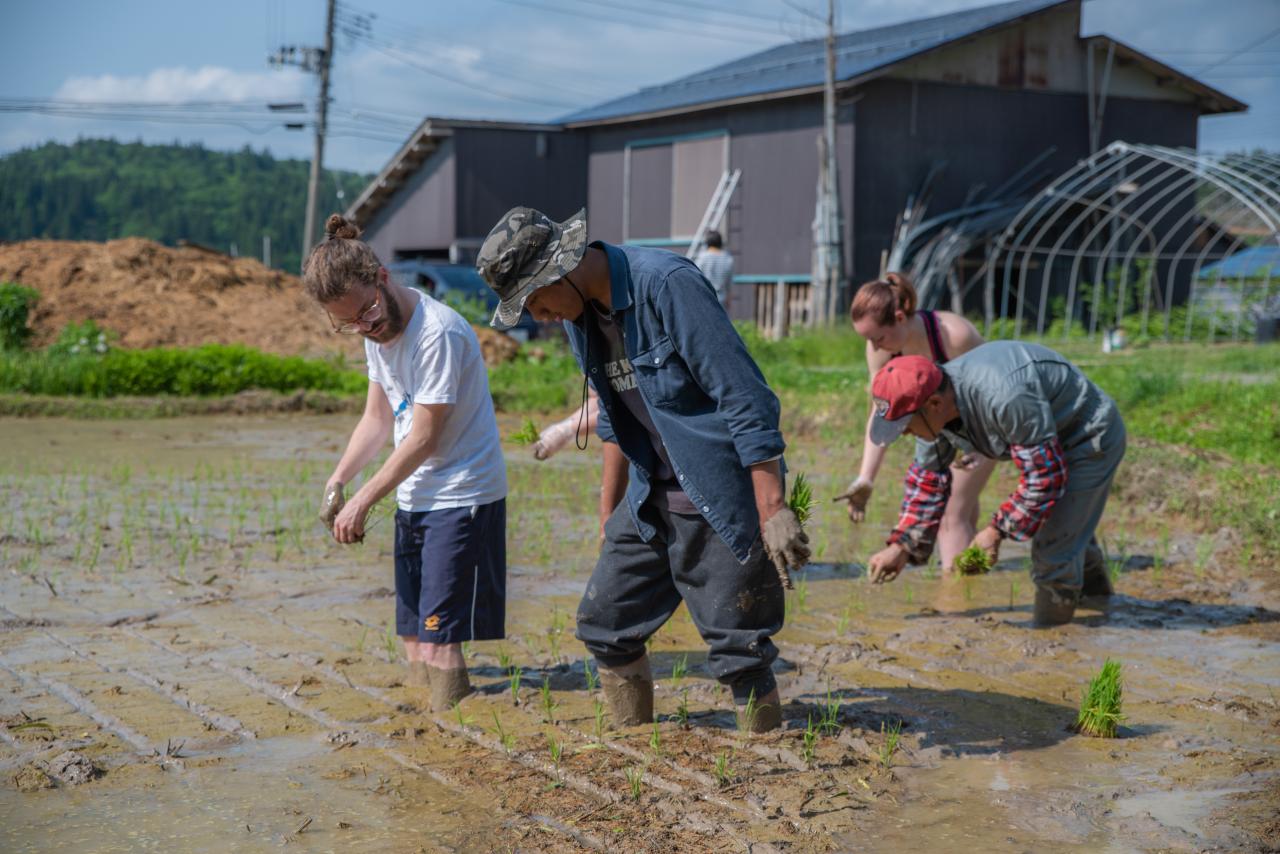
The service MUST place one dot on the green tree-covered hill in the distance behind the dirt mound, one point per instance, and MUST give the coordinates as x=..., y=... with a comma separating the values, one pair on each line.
x=99, y=190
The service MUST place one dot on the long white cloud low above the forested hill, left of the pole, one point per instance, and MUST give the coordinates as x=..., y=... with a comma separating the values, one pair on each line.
x=207, y=84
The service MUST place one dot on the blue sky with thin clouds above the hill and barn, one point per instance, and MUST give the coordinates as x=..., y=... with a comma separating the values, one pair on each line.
x=516, y=60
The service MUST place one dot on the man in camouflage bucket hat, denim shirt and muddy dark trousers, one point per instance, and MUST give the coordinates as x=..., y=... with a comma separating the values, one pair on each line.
x=692, y=447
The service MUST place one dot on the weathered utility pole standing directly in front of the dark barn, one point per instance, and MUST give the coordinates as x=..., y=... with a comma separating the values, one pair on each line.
x=829, y=257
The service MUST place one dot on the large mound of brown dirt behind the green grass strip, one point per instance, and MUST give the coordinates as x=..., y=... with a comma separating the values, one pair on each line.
x=157, y=296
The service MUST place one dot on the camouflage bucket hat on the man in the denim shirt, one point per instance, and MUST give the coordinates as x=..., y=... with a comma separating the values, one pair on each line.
x=525, y=252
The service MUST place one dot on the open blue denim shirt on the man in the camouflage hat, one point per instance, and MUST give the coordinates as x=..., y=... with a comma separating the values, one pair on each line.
x=707, y=398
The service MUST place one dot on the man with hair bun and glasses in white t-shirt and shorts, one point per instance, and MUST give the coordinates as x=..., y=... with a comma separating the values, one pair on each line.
x=429, y=390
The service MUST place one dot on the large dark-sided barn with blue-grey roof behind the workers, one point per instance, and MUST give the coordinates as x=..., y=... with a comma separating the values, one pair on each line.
x=984, y=92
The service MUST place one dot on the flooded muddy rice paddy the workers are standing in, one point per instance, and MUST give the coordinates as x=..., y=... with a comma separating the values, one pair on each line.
x=172, y=613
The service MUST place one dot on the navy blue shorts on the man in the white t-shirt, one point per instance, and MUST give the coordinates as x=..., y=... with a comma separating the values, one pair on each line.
x=451, y=574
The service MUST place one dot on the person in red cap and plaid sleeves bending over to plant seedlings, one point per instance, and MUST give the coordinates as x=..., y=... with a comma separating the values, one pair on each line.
x=1007, y=400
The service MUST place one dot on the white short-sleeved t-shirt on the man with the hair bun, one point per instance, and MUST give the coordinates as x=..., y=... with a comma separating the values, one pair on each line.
x=438, y=360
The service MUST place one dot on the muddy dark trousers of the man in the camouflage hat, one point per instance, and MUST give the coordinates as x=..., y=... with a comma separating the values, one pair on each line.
x=638, y=586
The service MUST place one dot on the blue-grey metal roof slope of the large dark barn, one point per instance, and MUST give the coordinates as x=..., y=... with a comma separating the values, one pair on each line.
x=803, y=65
